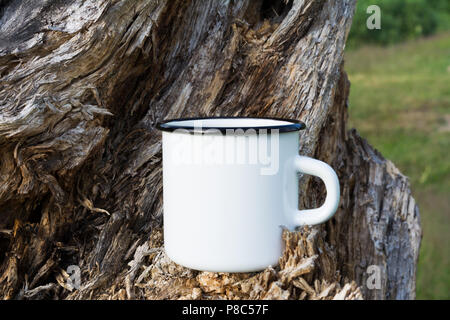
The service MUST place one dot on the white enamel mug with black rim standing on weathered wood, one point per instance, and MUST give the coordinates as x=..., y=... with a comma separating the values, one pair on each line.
x=230, y=186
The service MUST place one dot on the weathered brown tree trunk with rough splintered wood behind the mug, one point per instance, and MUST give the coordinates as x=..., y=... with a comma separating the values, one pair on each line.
x=82, y=85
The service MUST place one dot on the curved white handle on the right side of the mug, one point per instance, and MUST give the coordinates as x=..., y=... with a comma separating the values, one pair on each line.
x=326, y=173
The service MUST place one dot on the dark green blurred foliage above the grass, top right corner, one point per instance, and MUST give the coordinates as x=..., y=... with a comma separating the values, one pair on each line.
x=400, y=20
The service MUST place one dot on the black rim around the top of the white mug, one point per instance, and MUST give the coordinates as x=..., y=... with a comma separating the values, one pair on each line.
x=292, y=125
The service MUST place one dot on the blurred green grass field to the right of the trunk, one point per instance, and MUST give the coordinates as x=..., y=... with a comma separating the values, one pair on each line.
x=400, y=101
